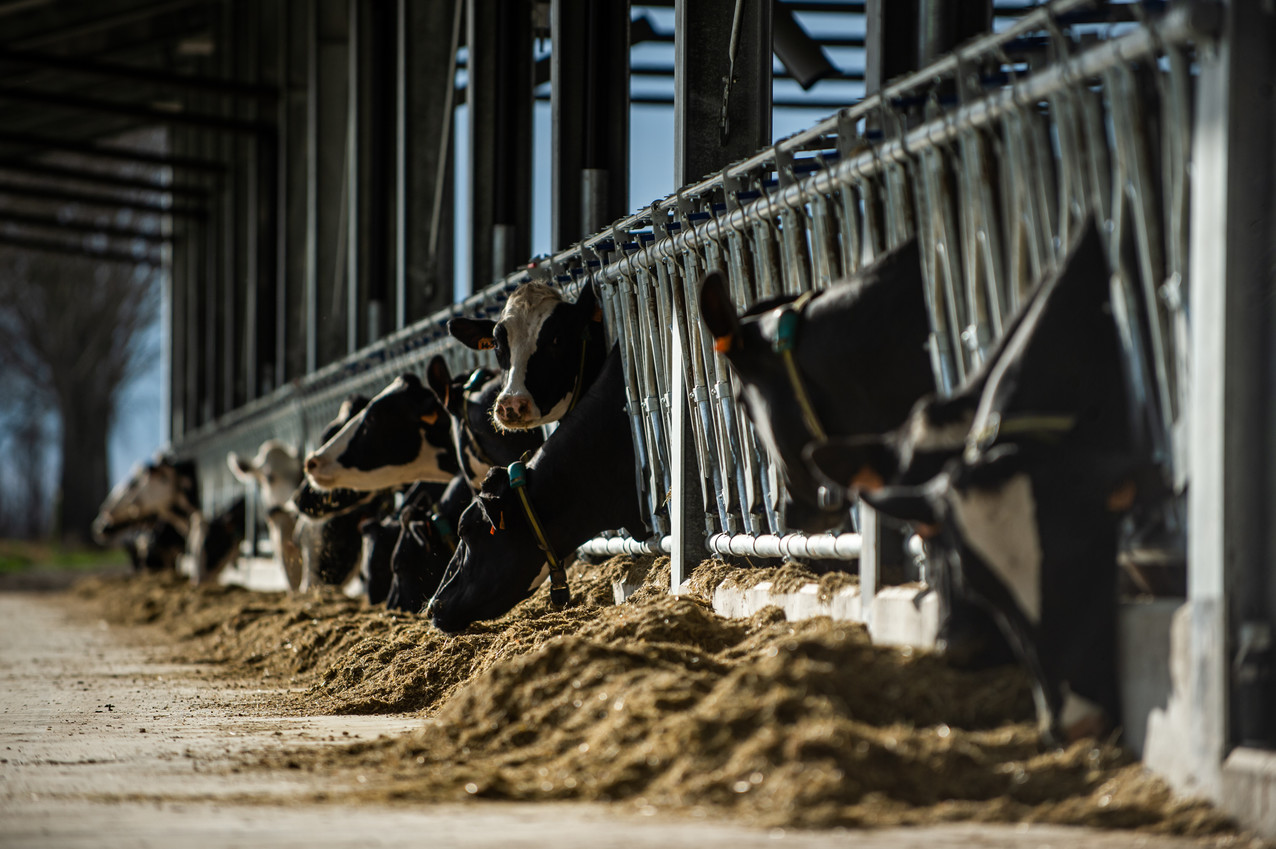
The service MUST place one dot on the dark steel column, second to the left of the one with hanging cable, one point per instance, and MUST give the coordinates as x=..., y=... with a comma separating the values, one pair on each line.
x=500, y=100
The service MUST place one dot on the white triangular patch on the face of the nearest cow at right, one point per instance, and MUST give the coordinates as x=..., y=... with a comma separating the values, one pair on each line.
x=1001, y=527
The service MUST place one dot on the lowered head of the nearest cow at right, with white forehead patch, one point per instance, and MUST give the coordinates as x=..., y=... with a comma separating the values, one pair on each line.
x=1032, y=532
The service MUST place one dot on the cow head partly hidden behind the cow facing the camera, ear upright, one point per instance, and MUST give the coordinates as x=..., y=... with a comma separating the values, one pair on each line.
x=478, y=442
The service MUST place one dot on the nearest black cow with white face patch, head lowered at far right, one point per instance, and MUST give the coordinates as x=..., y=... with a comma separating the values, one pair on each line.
x=1025, y=513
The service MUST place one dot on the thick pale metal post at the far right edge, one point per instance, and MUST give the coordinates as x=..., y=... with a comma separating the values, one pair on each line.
x=1232, y=410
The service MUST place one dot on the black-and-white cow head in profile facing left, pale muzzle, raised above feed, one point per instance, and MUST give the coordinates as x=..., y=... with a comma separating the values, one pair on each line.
x=401, y=437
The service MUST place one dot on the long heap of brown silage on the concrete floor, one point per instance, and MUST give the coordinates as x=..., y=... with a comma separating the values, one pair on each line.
x=663, y=705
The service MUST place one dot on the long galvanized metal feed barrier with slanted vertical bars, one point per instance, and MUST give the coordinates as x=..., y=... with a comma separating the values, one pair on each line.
x=993, y=156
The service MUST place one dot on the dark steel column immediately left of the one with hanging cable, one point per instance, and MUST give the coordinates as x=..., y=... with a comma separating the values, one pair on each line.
x=590, y=103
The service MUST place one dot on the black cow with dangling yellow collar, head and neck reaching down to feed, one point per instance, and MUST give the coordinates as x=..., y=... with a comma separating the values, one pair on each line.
x=581, y=483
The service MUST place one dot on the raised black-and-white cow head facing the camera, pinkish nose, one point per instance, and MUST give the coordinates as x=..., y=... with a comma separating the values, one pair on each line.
x=549, y=349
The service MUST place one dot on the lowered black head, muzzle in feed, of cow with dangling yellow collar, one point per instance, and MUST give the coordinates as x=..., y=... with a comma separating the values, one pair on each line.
x=498, y=562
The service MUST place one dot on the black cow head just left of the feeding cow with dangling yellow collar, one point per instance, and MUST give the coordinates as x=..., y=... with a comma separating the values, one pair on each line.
x=426, y=545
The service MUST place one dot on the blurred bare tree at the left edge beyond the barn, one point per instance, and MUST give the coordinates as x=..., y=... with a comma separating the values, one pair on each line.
x=72, y=331
